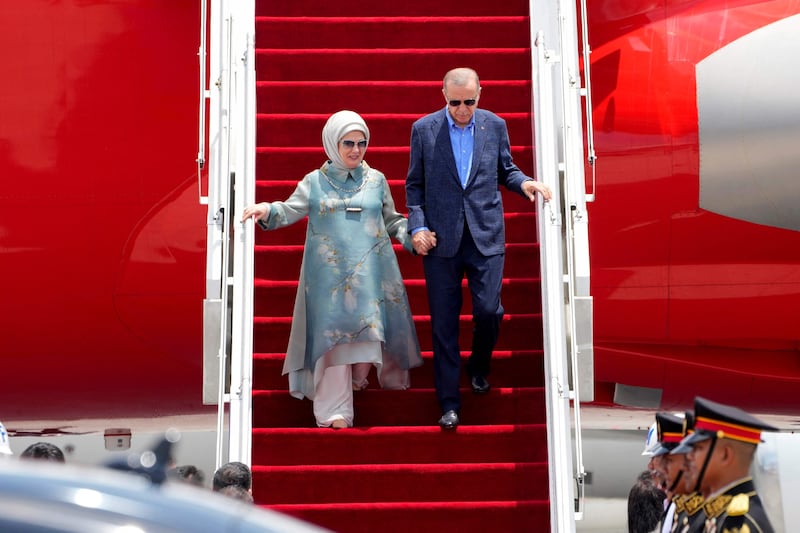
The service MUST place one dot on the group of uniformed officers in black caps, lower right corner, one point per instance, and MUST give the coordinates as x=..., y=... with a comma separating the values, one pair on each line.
x=698, y=477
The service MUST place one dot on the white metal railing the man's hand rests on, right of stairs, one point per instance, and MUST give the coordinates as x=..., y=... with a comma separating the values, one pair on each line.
x=563, y=237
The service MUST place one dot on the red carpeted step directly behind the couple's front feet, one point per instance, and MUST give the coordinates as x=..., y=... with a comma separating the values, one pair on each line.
x=412, y=407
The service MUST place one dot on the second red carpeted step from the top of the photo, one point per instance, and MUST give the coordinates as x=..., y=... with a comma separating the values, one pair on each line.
x=358, y=33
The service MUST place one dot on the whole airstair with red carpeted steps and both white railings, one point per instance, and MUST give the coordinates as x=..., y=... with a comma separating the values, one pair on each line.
x=275, y=74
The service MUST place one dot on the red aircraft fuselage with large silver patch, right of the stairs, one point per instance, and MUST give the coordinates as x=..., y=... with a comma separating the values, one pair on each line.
x=686, y=299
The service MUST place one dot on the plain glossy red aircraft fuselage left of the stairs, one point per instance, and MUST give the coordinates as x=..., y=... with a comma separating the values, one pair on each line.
x=102, y=238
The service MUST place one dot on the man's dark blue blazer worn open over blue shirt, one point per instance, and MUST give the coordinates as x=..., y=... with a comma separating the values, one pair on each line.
x=434, y=195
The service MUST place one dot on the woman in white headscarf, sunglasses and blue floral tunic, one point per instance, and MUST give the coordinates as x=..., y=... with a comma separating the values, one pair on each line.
x=351, y=310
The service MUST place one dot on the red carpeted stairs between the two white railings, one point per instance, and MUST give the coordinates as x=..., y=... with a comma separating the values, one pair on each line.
x=396, y=470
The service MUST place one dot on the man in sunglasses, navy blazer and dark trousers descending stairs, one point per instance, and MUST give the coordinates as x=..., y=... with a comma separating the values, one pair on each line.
x=460, y=156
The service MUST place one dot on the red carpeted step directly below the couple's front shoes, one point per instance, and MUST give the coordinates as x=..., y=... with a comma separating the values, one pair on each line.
x=517, y=443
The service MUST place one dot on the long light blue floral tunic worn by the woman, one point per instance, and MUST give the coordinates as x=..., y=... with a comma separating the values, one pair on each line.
x=350, y=288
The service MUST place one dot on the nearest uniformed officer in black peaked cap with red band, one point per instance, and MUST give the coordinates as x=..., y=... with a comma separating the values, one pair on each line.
x=718, y=455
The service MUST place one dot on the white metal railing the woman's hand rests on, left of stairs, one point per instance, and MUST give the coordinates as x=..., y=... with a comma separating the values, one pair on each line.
x=228, y=308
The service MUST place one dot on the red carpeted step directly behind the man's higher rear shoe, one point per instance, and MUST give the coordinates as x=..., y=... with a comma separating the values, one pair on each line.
x=518, y=368
